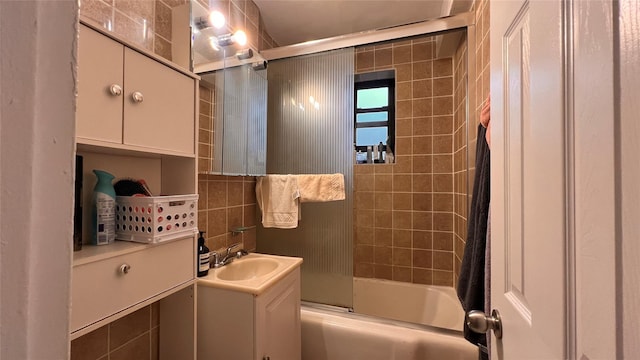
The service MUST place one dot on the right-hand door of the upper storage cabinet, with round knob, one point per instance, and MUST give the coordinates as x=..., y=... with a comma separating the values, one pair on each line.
x=163, y=117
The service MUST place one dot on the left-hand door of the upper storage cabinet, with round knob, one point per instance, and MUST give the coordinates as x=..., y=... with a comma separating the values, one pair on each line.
x=99, y=109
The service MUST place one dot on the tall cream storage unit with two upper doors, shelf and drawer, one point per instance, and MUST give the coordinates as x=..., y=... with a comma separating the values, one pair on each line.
x=151, y=137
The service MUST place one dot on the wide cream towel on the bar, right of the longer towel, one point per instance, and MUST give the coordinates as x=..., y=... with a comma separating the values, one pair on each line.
x=320, y=188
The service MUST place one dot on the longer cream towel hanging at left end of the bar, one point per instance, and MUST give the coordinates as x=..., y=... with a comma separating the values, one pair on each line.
x=277, y=197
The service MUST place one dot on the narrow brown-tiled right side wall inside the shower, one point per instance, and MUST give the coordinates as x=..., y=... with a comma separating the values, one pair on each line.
x=460, y=151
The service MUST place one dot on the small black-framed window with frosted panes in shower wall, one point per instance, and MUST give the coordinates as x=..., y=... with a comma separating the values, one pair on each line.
x=374, y=116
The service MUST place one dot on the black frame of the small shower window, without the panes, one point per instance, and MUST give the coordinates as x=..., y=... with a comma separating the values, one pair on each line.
x=371, y=81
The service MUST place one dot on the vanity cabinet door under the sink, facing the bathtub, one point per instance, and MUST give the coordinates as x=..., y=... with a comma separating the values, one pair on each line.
x=278, y=320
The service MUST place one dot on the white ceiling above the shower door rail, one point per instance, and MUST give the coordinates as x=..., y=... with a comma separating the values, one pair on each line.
x=296, y=21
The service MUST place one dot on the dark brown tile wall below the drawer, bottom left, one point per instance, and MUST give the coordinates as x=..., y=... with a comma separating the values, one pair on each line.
x=133, y=337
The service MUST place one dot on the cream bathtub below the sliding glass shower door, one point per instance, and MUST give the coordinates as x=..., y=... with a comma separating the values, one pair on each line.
x=331, y=333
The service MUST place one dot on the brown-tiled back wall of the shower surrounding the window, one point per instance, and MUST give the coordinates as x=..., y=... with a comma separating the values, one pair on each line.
x=404, y=211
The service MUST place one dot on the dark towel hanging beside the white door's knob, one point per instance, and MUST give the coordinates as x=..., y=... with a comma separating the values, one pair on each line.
x=471, y=280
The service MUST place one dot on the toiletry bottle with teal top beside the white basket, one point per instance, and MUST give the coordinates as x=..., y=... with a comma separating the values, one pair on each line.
x=103, y=216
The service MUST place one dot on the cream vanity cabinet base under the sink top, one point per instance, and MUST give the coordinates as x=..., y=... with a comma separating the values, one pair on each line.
x=250, y=327
